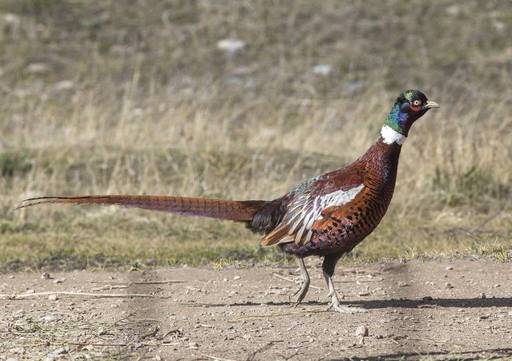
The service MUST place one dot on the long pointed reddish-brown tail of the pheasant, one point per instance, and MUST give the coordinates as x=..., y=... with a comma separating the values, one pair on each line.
x=241, y=211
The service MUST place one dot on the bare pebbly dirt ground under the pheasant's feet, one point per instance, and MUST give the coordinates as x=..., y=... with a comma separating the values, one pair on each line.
x=418, y=310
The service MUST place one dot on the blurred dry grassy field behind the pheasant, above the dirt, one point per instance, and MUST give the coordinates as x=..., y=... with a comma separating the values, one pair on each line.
x=243, y=100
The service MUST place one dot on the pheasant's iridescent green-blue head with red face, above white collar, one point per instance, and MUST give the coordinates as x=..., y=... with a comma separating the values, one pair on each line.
x=408, y=108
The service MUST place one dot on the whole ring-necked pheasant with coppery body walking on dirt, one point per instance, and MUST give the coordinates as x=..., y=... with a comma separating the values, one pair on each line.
x=326, y=216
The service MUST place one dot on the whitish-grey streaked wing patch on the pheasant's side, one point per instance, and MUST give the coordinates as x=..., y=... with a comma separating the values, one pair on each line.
x=304, y=211
